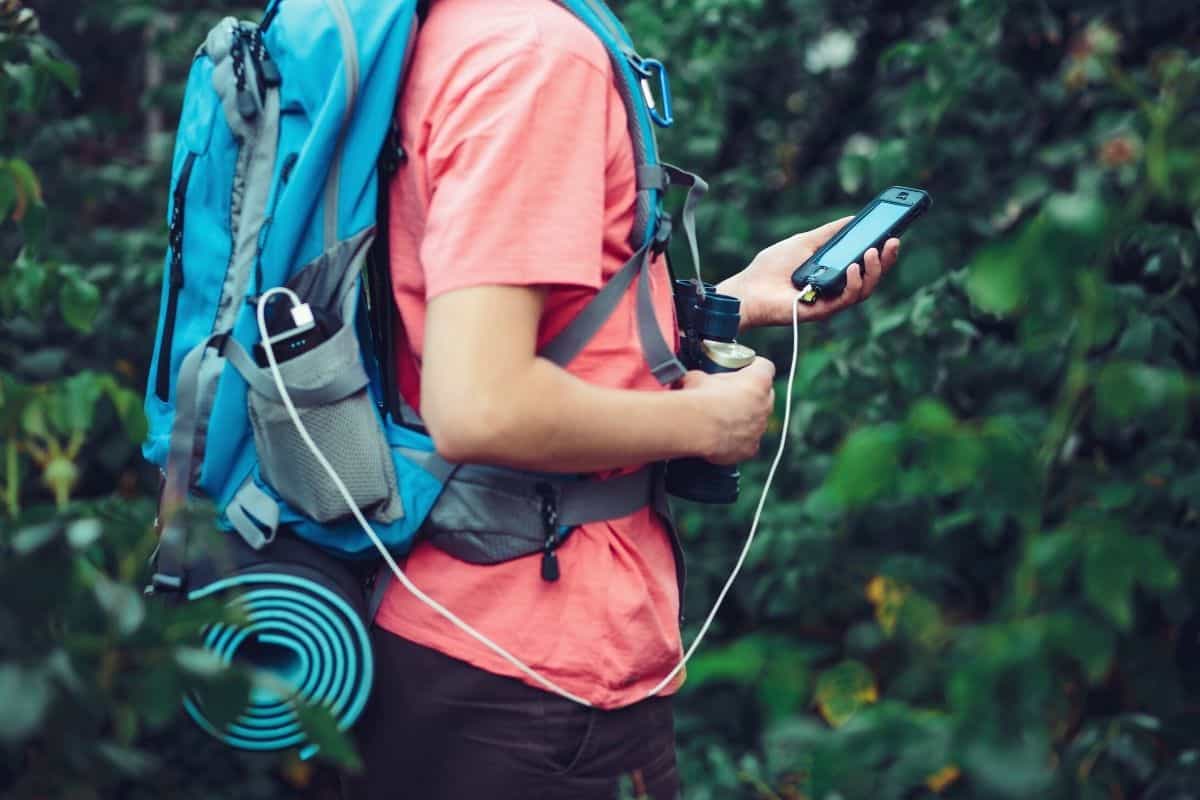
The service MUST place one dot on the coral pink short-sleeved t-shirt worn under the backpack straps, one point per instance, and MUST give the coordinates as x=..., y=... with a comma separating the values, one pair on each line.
x=520, y=173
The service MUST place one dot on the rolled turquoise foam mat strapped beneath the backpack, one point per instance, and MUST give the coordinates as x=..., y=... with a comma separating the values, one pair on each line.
x=305, y=624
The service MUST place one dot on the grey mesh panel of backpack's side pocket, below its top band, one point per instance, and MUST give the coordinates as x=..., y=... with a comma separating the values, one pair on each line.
x=347, y=434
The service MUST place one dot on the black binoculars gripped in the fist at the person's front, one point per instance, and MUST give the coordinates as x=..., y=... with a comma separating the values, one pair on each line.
x=709, y=324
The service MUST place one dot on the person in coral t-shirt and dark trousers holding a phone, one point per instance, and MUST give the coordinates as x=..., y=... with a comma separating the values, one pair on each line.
x=514, y=208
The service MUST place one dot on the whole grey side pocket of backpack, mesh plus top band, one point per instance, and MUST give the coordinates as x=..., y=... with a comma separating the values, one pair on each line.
x=346, y=431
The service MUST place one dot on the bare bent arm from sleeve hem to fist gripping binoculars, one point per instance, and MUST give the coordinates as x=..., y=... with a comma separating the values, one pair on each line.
x=487, y=398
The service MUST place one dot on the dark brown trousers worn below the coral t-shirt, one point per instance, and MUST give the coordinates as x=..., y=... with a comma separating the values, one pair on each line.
x=437, y=729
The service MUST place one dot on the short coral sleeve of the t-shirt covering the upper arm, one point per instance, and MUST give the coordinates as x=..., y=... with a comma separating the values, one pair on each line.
x=517, y=172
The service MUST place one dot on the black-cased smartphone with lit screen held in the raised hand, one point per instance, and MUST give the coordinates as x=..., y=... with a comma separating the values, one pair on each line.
x=890, y=215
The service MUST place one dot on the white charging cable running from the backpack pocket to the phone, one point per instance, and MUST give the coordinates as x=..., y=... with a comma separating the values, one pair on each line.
x=301, y=311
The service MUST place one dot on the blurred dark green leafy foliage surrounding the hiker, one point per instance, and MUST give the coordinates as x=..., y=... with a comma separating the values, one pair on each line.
x=977, y=574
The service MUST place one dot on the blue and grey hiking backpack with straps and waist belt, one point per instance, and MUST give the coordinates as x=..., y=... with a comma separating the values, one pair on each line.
x=286, y=140
